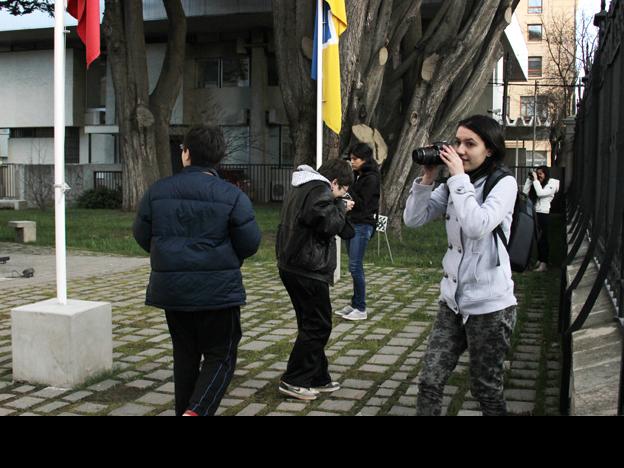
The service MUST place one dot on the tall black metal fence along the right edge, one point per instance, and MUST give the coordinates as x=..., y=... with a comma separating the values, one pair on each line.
x=595, y=200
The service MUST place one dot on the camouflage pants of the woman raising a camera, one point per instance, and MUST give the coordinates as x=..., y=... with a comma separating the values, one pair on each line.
x=487, y=339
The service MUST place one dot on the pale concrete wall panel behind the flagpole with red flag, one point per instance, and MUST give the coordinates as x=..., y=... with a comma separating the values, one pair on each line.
x=27, y=91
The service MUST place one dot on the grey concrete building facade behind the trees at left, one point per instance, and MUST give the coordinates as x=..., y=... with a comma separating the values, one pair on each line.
x=230, y=80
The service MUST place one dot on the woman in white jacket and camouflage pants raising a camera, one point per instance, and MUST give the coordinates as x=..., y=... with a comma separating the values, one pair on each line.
x=477, y=303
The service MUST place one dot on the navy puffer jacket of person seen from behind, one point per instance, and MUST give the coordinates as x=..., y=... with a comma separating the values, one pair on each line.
x=198, y=229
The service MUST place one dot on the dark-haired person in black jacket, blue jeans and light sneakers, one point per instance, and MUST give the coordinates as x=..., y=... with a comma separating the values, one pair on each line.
x=365, y=192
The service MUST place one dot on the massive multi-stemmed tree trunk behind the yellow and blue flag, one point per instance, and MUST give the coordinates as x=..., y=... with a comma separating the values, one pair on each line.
x=409, y=82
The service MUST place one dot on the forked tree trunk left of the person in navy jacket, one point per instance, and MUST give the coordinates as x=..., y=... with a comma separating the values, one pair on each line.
x=143, y=120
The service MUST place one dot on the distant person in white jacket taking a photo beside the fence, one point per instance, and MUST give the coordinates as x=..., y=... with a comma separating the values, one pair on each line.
x=541, y=189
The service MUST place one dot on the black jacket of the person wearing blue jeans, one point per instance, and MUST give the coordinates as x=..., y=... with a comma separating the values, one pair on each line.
x=366, y=192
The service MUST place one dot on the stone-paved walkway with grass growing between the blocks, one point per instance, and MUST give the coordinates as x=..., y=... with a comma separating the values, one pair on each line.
x=377, y=361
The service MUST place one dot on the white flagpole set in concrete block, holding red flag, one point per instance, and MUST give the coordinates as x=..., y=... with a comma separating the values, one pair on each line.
x=59, y=149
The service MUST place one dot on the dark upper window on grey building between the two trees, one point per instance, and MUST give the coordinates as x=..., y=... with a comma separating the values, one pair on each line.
x=223, y=73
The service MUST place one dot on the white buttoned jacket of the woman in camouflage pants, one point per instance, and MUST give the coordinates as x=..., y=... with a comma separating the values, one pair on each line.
x=473, y=284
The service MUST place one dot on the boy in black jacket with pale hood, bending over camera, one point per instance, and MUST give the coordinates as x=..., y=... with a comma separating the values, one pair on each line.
x=314, y=213
